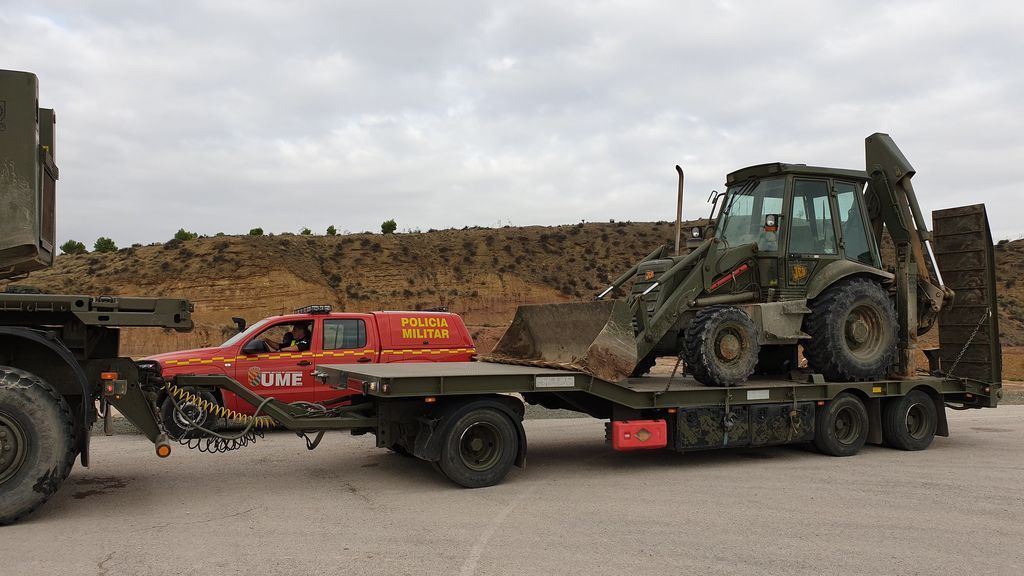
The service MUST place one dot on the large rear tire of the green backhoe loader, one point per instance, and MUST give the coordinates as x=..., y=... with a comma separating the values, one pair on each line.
x=854, y=333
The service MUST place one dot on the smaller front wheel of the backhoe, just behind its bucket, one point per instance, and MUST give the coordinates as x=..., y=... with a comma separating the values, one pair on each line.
x=721, y=347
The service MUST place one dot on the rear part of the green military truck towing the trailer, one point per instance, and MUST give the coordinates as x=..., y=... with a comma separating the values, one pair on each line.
x=59, y=354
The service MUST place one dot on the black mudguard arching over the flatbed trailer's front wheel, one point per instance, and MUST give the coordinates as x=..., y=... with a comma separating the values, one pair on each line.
x=435, y=427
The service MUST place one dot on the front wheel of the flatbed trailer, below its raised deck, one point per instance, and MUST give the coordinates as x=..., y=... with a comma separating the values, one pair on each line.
x=480, y=448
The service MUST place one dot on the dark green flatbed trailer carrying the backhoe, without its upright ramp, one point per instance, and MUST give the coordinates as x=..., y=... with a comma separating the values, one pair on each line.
x=466, y=418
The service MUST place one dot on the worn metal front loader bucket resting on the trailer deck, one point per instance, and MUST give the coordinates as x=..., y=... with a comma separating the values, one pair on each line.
x=594, y=338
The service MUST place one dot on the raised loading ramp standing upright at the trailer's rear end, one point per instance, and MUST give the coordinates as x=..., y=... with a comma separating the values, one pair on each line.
x=967, y=261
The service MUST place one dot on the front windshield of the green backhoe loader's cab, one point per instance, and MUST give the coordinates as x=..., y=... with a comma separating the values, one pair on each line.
x=746, y=208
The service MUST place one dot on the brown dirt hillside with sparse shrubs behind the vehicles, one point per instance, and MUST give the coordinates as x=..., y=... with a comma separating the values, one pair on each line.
x=482, y=274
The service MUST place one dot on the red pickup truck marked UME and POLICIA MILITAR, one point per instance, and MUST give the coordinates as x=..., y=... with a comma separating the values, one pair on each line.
x=278, y=356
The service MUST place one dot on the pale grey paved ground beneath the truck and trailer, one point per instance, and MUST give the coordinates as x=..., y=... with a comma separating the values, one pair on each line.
x=579, y=509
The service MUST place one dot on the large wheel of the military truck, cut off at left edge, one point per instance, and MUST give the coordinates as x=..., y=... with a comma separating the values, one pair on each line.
x=37, y=443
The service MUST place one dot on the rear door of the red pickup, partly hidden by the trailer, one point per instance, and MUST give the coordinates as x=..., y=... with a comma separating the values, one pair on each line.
x=347, y=340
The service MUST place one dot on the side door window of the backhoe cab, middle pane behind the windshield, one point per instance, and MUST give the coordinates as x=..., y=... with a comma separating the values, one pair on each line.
x=812, y=223
